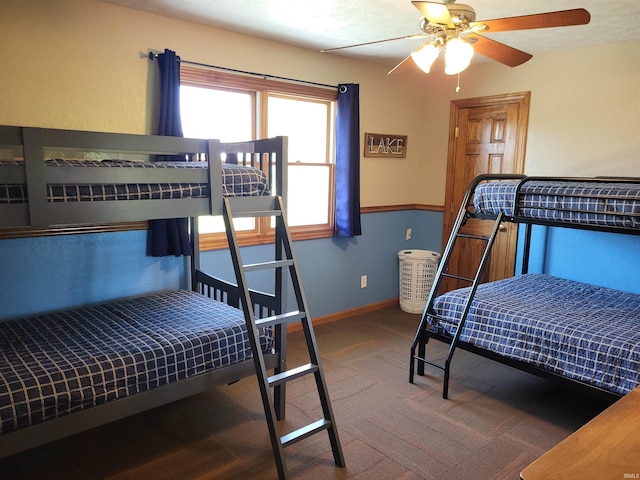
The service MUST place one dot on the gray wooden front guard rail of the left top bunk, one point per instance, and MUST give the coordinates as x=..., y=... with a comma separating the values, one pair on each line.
x=38, y=211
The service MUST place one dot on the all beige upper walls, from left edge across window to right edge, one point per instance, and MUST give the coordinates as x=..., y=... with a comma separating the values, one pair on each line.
x=80, y=64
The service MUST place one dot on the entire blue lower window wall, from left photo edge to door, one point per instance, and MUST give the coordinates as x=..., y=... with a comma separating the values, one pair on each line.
x=50, y=273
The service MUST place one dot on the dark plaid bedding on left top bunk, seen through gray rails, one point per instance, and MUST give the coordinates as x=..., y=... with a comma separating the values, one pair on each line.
x=237, y=180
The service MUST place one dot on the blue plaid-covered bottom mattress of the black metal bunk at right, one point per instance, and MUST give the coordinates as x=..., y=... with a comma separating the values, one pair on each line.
x=583, y=332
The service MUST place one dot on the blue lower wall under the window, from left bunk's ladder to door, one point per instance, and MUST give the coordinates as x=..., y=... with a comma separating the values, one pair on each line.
x=331, y=268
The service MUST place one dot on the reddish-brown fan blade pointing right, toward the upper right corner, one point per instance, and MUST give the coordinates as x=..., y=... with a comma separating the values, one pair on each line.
x=564, y=18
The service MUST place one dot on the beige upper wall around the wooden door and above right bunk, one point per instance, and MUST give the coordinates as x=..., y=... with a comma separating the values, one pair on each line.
x=584, y=115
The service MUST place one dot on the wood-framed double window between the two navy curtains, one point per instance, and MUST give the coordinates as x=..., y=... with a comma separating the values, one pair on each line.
x=235, y=108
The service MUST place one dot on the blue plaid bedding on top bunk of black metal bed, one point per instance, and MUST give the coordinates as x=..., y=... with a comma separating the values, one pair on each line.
x=586, y=203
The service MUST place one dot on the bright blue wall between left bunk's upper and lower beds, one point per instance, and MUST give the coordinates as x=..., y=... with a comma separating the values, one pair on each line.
x=51, y=273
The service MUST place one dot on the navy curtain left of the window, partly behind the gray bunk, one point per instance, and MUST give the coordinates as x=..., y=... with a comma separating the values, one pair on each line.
x=170, y=237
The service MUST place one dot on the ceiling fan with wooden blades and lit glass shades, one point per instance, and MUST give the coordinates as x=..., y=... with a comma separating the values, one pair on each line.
x=453, y=28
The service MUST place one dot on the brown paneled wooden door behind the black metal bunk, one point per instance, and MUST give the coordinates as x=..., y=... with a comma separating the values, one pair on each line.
x=487, y=135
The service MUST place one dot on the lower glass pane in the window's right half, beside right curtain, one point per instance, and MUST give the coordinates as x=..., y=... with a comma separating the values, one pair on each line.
x=308, y=195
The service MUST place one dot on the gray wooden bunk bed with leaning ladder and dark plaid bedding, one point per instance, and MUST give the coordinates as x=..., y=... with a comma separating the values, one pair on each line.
x=124, y=178
